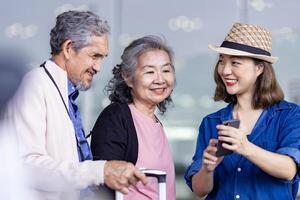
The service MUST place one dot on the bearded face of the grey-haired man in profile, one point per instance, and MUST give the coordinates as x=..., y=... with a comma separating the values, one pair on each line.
x=82, y=65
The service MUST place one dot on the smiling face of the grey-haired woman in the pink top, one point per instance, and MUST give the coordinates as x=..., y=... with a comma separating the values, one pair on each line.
x=153, y=79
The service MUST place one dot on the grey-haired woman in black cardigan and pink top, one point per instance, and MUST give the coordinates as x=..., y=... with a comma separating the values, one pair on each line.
x=128, y=128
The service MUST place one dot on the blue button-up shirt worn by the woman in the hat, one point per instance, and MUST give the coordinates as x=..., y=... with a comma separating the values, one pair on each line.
x=277, y=130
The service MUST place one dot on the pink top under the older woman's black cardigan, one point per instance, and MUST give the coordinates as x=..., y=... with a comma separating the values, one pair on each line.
x=154, y=153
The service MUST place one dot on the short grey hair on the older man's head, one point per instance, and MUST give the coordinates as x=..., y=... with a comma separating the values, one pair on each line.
x=77, y=26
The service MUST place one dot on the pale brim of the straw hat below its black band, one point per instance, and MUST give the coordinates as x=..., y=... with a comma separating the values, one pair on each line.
x=234, y=52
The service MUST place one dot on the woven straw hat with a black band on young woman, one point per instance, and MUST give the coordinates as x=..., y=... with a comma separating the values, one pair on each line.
x=247, y=40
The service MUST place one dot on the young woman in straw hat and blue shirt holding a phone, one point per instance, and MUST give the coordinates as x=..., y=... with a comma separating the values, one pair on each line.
x=265, y=159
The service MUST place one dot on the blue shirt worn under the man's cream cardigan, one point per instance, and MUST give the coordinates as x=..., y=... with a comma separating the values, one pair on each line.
x=83, y=148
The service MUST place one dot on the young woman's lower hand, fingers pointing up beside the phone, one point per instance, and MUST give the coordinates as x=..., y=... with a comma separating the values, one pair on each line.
x=209, y=159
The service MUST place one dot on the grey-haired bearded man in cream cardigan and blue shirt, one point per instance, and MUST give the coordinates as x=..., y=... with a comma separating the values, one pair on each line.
x=51, y=140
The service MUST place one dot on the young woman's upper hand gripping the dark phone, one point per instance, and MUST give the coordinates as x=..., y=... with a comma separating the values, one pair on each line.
x=234, y=139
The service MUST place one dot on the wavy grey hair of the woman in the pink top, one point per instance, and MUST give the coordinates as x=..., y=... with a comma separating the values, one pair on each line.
x=117, y=88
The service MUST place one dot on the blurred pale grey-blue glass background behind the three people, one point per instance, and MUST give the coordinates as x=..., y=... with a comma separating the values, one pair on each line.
x=188, y=26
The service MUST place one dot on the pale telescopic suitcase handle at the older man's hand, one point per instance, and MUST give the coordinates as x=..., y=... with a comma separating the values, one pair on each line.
x=161, y=179
